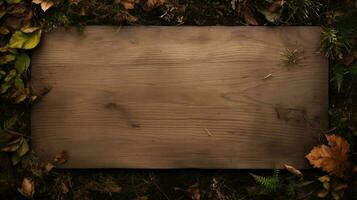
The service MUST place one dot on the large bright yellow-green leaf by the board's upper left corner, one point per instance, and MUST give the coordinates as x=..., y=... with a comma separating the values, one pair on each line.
x=22, y=40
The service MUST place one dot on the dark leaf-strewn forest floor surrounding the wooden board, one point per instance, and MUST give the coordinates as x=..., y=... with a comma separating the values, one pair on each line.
x=23, y=176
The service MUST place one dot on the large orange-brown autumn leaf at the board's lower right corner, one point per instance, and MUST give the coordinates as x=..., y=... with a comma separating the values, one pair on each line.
x=331, y=158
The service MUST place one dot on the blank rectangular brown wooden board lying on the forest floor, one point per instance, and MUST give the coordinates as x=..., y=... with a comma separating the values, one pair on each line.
x=179, y=97
